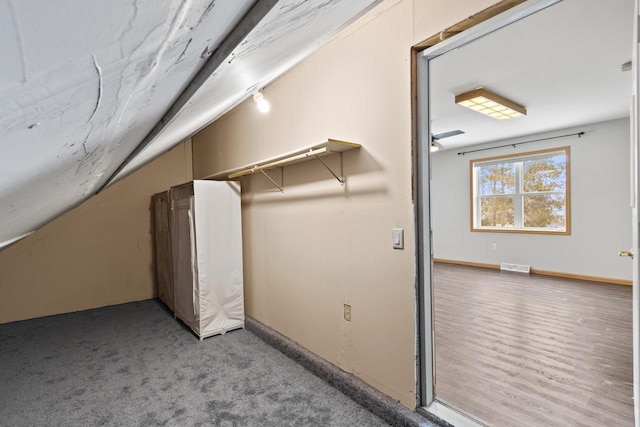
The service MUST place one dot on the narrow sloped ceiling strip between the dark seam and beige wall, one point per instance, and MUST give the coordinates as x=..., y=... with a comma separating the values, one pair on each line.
x=282, y=39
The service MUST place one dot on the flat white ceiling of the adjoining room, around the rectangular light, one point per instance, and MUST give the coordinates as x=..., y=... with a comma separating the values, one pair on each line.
x=562, y=64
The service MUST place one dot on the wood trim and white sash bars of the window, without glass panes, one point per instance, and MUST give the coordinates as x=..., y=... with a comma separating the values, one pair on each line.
x=519, y=194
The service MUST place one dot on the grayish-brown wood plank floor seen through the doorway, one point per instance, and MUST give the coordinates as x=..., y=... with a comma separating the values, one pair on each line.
x=526, y=350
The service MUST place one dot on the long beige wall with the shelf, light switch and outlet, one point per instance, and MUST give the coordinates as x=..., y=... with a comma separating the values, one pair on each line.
x=319, y=245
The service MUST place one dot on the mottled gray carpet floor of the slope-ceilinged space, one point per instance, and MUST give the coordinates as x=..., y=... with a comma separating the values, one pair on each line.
x=134, y=365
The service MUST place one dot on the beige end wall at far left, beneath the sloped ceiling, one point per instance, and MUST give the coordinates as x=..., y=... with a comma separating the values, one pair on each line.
x=98, y=254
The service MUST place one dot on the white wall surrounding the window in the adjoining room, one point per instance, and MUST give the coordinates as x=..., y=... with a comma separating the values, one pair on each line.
x=600, y=212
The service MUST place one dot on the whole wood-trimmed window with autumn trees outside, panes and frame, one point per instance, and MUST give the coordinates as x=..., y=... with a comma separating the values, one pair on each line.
x=525, y=193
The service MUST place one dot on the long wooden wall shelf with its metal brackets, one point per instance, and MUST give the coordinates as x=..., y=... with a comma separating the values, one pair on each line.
x=317, y=151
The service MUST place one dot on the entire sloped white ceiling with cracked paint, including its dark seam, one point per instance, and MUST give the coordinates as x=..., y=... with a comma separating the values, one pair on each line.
x=92, y=90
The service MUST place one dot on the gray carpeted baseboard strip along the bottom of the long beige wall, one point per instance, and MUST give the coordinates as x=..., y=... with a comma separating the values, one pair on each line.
x=373, y=400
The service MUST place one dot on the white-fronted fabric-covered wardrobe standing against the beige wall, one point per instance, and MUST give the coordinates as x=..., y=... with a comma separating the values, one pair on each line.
x=214, y=304
